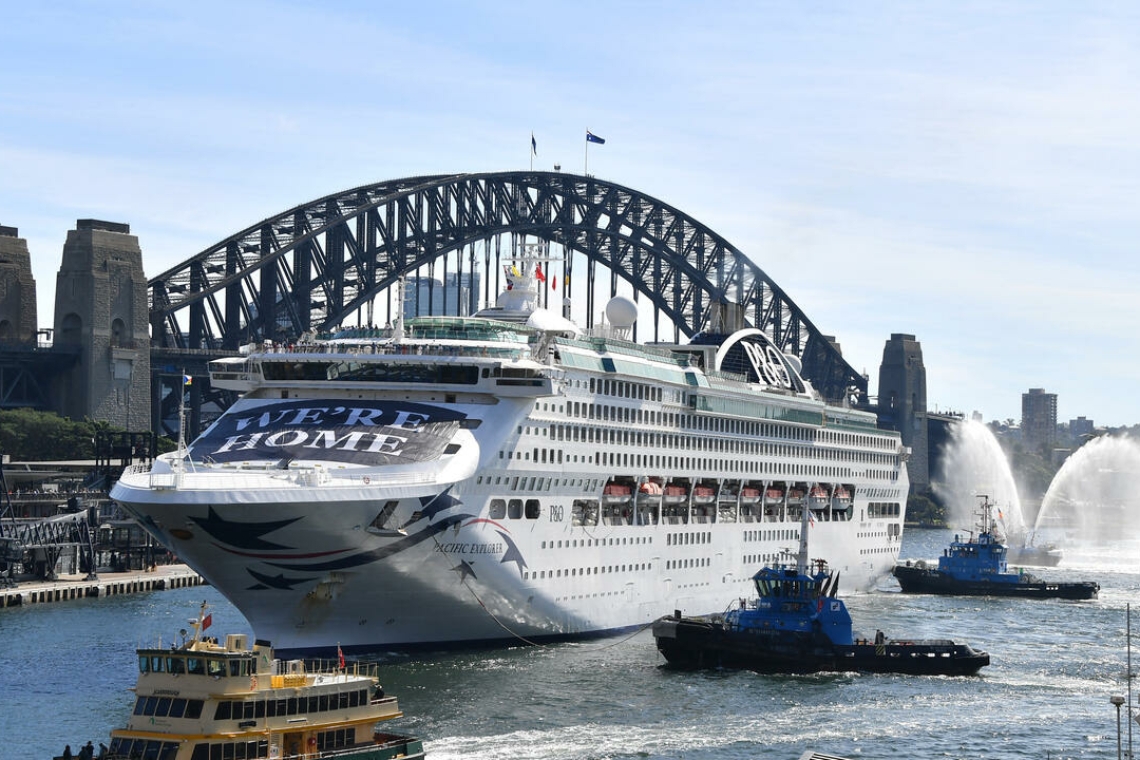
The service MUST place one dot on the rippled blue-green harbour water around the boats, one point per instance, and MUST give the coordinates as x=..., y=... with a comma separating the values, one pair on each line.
x=67, y=671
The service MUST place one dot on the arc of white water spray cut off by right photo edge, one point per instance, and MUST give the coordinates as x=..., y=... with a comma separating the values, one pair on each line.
x=1095, y=499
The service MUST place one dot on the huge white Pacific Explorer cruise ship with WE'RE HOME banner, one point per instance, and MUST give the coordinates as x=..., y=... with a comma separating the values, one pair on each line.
x=508, y=477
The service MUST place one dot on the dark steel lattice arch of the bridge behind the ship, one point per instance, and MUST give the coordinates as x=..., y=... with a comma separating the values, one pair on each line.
x=316, y=265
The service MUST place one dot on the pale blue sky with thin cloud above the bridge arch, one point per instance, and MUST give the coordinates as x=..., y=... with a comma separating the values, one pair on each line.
x=966, y=173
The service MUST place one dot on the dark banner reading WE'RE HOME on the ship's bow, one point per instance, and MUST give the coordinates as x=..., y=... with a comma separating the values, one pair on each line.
x=359, y=432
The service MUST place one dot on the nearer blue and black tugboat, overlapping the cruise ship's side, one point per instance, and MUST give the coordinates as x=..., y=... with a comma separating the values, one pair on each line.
x=797, y=626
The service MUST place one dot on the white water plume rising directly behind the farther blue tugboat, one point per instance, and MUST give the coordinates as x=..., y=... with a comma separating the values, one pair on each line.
x=974, y=464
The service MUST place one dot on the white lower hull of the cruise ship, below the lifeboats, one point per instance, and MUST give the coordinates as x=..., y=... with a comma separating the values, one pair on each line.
x=297, y=553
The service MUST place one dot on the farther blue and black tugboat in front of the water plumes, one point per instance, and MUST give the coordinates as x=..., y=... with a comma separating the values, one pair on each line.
x=980, y=568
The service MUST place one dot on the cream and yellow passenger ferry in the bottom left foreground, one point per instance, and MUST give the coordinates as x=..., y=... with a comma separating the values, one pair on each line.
x=203, y=700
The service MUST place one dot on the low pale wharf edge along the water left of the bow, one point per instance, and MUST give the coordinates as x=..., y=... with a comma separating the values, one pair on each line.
x=78, y=586
